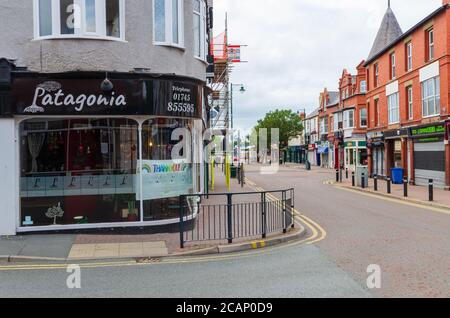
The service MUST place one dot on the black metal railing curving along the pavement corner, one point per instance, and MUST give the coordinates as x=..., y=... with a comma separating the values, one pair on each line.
x=230, y=216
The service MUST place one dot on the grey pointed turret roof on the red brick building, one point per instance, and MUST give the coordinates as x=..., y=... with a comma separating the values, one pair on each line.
x=389, y=31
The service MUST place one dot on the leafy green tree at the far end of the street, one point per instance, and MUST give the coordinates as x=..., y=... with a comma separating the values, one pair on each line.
x=288, y=122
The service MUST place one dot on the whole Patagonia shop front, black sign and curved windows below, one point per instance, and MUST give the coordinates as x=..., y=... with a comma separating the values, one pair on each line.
x=100, y=152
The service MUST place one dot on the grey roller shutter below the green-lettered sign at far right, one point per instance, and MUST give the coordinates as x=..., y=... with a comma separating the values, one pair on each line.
x=429, y=163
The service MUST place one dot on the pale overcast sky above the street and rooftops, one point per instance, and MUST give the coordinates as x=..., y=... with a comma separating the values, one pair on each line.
x=298, y=47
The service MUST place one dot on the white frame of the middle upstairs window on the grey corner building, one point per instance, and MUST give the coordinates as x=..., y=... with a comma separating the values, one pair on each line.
x=169, y=25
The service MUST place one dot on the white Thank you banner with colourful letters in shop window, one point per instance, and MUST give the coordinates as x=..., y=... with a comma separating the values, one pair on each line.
x=163, y=179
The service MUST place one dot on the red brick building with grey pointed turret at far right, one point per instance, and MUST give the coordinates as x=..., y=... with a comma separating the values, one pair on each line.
x=407, y=98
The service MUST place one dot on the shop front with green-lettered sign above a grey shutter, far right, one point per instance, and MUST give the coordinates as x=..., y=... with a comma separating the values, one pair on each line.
x=429, y=154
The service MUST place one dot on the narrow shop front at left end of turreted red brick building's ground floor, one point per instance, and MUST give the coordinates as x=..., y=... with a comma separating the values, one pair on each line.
x=375, y=146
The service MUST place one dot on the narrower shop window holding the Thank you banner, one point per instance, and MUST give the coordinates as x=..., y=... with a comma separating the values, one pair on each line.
x=168, y=169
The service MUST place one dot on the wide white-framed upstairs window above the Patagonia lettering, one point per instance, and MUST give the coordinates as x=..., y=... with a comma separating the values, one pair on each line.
x=79, y=18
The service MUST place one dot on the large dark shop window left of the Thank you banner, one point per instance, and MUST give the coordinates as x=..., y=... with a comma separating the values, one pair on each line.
x=83, y=170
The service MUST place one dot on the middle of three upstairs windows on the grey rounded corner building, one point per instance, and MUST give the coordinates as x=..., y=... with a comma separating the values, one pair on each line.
x=168, y=22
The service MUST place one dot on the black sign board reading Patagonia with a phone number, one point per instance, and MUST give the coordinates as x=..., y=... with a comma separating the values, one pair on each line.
x=59, y=95
